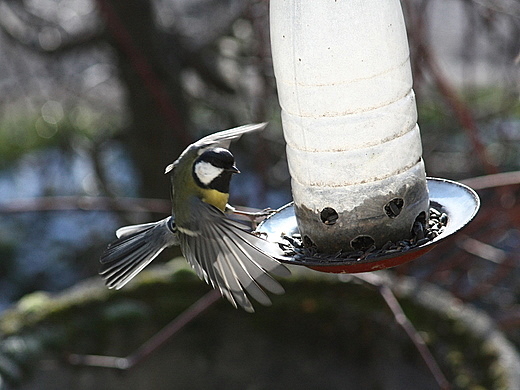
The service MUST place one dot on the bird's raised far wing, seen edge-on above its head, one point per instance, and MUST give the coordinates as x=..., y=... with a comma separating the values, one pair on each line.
x=221, y=139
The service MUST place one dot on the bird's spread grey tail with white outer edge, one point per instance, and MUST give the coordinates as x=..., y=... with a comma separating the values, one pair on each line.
x=136, y=246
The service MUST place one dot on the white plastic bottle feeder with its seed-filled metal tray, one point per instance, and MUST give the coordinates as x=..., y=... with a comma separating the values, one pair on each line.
x=362, y=201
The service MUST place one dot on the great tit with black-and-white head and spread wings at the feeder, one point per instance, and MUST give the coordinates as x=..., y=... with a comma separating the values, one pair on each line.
x=220, y=250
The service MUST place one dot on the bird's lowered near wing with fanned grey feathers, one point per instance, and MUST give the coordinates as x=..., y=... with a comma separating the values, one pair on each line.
x=229, y=258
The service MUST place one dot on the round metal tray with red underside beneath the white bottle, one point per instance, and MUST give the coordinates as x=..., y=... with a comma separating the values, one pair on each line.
x=459, y=202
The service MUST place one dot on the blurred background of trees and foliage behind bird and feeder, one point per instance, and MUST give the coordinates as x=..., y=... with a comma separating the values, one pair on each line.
x=98, y=96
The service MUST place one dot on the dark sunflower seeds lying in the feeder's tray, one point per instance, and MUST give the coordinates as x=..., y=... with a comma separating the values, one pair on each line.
x=422, y=233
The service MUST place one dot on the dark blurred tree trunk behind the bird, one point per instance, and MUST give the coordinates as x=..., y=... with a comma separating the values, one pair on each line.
x=151, y=74
